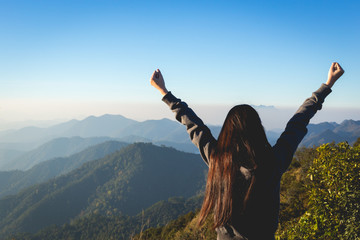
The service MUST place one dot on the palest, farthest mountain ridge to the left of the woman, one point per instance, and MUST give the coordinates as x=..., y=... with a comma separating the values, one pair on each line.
x=114, y=126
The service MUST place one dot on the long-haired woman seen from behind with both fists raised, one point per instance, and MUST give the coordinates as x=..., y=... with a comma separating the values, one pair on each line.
x=243, y=183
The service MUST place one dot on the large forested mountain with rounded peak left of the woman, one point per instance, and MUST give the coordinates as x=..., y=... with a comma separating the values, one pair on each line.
x=120, y=184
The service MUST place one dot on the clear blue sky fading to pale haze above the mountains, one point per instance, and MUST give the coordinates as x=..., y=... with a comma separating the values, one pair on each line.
x=73, y=58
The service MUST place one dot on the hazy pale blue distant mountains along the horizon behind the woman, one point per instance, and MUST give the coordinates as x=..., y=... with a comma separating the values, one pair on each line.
x=24, y=148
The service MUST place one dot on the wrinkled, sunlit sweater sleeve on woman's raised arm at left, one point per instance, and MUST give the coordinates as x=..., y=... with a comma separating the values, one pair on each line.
x=199, y=133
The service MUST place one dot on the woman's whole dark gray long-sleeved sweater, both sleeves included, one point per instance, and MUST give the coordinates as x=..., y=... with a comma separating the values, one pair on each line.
x=260, y=221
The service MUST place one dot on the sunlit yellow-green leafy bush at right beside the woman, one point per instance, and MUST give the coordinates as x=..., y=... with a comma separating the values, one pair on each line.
x=333, y=210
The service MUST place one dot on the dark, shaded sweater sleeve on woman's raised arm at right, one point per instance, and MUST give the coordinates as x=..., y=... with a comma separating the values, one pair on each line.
x=296, y=130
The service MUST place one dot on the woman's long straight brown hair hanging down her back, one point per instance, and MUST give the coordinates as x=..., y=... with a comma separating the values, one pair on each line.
x=241, y=142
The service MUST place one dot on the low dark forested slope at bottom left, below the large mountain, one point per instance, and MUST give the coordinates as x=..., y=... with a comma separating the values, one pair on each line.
x=99, y=227
